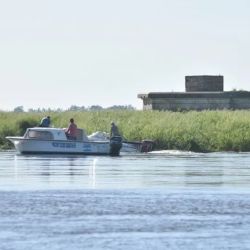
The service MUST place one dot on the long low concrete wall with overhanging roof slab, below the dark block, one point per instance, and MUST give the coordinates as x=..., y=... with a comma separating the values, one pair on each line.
x=196, y=101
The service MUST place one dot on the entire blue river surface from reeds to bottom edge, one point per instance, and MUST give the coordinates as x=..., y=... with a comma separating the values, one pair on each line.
x=159, y=200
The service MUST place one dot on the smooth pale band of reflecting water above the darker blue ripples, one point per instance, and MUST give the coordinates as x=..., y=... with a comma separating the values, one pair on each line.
x=155, y=170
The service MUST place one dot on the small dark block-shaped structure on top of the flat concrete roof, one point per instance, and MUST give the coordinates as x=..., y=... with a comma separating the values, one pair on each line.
x=203, y=83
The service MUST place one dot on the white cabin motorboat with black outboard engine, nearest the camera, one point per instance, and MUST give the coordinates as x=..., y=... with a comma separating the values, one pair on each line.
x=55, y=141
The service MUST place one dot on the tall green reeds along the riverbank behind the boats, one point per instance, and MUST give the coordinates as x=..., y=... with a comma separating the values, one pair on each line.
x=204, y=131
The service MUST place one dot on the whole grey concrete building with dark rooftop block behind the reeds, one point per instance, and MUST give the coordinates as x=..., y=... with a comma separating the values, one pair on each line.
x=202, y=93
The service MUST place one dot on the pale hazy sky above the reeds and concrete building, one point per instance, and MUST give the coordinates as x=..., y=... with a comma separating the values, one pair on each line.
x=58, y=53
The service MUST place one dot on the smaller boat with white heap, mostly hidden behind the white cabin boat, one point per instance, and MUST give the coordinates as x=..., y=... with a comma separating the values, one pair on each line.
x=143, y=146
